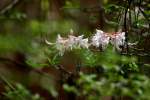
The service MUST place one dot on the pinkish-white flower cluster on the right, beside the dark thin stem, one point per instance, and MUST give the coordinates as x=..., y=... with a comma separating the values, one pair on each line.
x=103, y=39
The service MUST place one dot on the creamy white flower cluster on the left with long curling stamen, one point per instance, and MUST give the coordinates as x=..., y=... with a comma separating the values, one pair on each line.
x=64, y=44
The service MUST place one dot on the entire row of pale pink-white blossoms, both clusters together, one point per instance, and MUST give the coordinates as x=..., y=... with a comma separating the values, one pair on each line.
x=100, y=39
